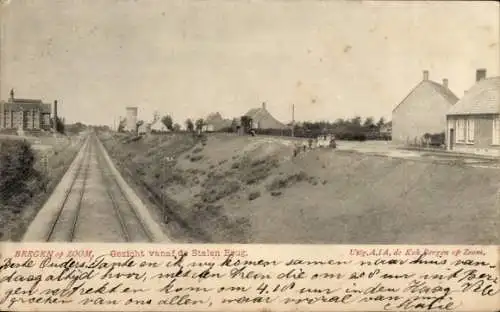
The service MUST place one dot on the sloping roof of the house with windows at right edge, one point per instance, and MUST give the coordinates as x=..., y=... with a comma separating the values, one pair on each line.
x=482, y=98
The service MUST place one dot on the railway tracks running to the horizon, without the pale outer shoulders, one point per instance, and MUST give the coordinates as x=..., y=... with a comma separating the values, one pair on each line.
x=93, y=179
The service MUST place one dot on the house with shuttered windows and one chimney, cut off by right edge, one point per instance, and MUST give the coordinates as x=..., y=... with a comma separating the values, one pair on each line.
x=473, y=124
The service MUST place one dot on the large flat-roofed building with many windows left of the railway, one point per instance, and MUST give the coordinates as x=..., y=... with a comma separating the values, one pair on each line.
x=28, y=114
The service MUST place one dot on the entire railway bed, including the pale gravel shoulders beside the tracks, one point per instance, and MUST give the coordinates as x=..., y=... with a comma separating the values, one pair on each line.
x=93, y=203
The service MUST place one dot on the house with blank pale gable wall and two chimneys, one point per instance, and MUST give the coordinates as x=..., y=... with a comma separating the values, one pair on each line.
x=422, y=111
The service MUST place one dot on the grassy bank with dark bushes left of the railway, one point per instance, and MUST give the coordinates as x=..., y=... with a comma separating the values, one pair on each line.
x=51, y=158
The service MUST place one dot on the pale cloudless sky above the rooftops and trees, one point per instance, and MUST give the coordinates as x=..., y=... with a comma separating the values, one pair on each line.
x=331, y=59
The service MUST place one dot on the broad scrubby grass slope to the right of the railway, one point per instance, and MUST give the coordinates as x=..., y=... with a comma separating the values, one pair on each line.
x=251, y=189
